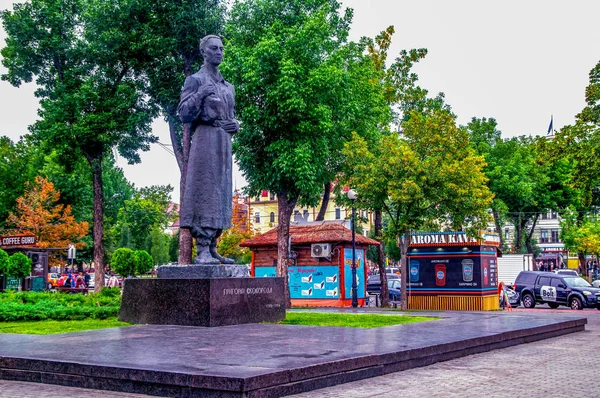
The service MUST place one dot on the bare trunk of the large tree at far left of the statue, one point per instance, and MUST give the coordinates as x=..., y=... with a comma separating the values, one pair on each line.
x=98, y=231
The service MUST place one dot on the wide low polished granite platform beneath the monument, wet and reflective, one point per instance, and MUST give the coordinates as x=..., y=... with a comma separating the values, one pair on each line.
x=261, y=360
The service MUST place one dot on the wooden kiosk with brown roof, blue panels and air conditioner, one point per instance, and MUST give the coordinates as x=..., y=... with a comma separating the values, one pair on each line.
x=320, y=267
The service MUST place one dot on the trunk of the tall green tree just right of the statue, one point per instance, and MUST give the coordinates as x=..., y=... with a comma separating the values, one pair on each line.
x=285, y=208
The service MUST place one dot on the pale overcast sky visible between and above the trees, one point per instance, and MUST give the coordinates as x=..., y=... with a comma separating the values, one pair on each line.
x=518, y=61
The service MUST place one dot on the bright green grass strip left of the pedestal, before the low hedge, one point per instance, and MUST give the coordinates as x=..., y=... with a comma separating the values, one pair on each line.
x=53, y=327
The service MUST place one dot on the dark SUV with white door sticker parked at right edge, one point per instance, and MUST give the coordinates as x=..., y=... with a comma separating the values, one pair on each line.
x=556, y=289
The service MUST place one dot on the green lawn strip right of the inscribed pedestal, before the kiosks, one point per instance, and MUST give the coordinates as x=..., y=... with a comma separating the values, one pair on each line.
x=350, y=320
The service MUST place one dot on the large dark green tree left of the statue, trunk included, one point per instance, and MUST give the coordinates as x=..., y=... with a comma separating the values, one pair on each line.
x=91, y=101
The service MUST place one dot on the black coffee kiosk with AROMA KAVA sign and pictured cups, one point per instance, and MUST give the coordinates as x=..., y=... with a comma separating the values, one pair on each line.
x=451, y=271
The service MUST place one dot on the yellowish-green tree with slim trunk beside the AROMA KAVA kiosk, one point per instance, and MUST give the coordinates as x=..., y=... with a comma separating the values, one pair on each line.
x=427, y=174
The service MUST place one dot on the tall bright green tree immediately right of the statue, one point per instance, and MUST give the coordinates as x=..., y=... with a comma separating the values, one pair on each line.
x=298, y=83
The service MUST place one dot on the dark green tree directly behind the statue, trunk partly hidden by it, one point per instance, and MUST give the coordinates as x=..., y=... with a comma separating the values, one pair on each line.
x=169, y=39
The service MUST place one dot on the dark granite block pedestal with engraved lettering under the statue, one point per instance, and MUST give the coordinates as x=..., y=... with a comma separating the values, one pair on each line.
x=200, y=295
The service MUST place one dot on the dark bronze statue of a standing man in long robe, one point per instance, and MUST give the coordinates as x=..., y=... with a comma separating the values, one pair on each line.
x=207, y=102
